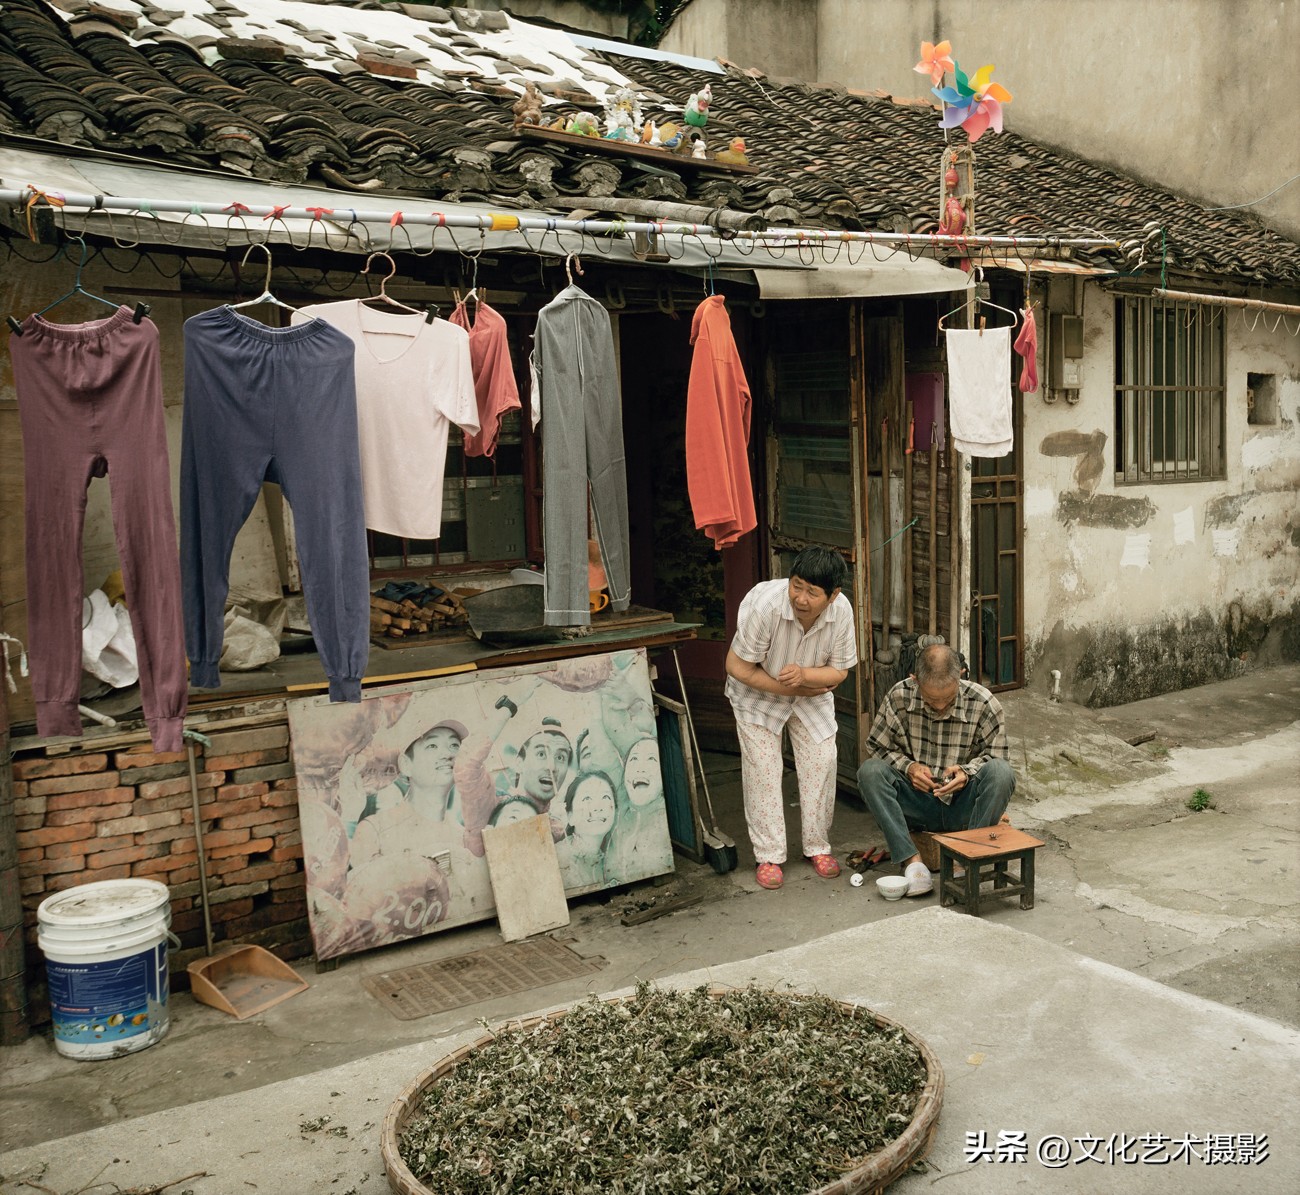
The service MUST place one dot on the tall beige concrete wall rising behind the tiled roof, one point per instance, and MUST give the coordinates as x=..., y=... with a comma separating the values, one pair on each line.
x=1188, y=94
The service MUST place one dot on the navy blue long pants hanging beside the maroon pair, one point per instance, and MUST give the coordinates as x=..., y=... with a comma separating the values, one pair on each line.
x=274, y=405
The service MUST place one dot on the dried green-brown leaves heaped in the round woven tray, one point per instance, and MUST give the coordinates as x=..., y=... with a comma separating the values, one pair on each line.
x=669, y=1092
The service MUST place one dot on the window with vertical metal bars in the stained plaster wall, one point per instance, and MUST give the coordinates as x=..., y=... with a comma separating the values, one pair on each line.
x=1169, y=392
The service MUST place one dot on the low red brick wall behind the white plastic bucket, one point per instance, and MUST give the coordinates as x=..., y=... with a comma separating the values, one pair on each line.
x=111, y=813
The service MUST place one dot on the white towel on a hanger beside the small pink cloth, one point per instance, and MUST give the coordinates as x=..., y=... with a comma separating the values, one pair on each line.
x=980, y=391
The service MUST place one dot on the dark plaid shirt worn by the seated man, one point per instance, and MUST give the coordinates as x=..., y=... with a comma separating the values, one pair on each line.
x=970, y=734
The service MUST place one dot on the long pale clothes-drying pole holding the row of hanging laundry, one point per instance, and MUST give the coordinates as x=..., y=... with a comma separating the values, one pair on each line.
x=33, y=197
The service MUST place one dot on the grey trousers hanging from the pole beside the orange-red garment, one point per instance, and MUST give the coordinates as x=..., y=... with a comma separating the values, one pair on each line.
x=578, y=393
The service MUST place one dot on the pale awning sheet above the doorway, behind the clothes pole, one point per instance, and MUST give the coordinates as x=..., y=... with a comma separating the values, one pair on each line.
x=870, y=274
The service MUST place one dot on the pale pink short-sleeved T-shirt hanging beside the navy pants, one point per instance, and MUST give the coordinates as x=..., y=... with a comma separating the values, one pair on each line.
x=414, y=380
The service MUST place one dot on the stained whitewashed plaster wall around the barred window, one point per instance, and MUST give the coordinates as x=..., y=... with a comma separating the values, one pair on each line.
x=1141, y=590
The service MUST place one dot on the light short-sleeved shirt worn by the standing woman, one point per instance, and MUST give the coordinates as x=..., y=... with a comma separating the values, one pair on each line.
x=769, y=634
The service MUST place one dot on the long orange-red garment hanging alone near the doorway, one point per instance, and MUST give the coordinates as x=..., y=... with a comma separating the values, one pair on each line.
x=718, y=417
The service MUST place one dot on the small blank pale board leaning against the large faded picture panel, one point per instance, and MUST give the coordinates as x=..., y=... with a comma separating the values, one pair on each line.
x=526, y=878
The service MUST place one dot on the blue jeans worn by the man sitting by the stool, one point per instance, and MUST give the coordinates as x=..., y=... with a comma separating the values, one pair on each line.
x=896, y=806
